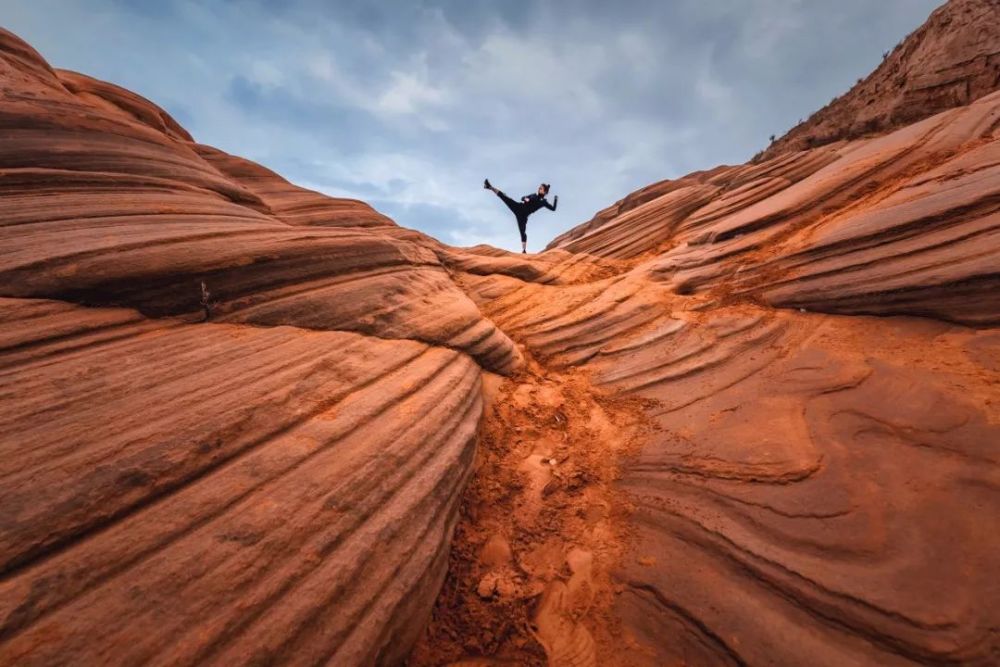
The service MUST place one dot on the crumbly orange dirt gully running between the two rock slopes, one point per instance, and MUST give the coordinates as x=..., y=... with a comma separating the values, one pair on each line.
x=542, y=527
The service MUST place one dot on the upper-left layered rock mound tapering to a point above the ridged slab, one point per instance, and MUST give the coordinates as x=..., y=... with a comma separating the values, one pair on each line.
x=104, y=200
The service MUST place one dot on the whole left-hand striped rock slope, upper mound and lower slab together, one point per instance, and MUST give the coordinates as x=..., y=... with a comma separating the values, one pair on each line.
x=279, y=484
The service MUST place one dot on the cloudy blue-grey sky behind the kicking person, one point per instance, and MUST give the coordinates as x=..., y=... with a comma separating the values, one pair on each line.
x=409, y=104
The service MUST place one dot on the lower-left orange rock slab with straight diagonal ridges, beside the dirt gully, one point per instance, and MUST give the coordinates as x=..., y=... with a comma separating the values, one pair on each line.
x=183, y=494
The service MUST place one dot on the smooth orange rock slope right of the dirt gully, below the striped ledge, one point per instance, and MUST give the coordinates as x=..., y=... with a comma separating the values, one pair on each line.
x=820, y=488
